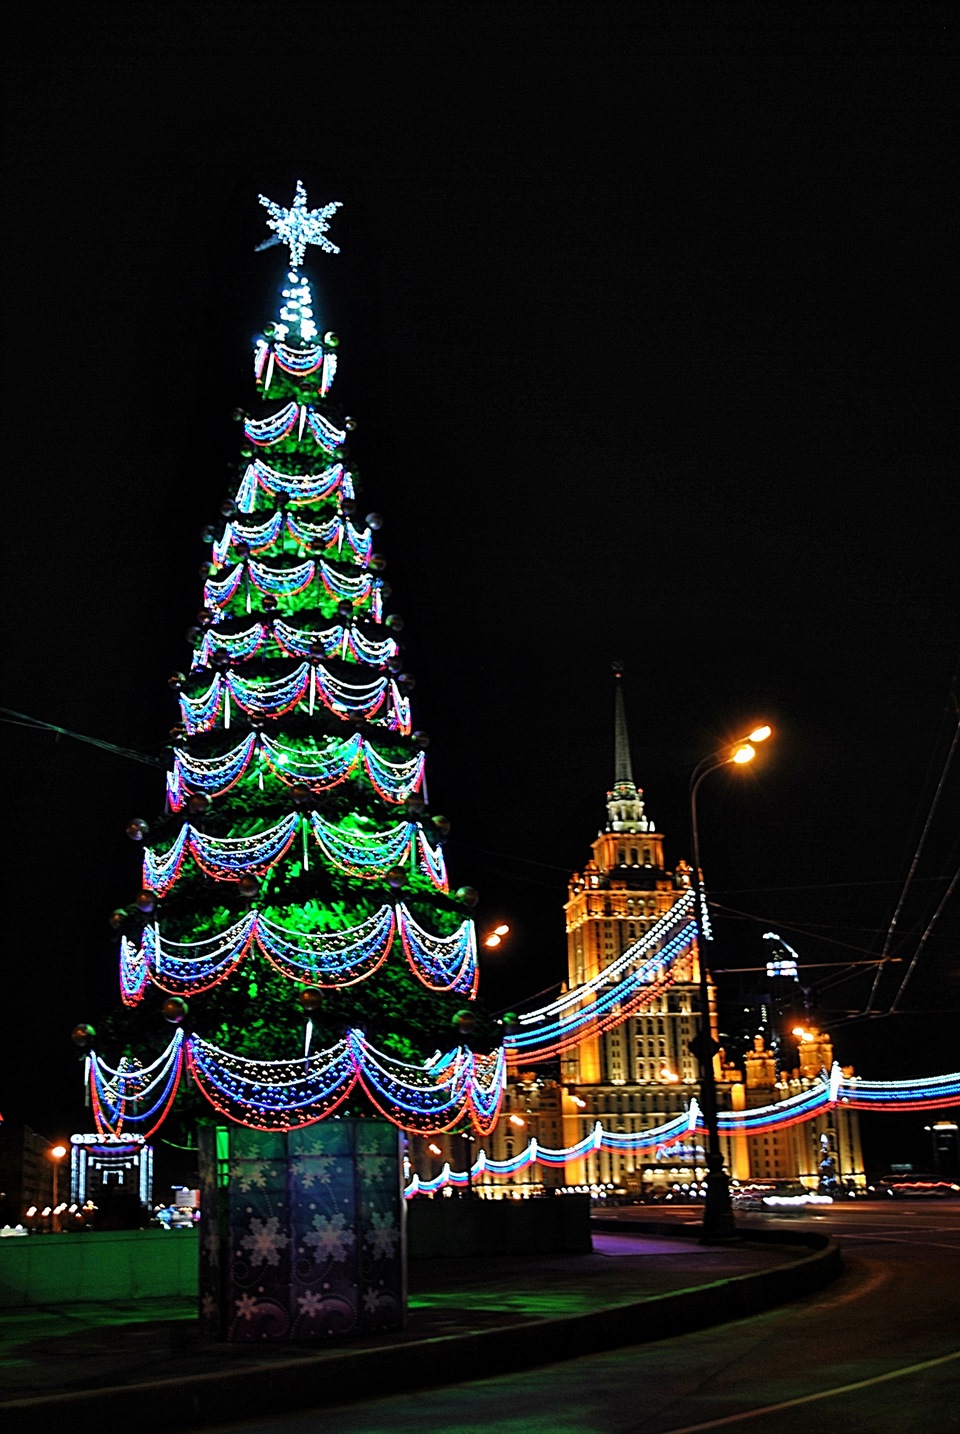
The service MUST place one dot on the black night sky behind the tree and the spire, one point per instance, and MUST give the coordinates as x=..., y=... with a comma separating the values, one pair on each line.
x=649, y=326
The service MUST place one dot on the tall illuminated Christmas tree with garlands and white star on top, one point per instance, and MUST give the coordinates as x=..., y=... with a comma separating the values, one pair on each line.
x=295, y=921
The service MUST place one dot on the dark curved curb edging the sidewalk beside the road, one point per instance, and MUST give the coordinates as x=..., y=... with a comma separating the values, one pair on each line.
x=225, y=1396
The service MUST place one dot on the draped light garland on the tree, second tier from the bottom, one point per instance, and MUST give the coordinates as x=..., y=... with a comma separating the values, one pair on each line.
x=329, y=959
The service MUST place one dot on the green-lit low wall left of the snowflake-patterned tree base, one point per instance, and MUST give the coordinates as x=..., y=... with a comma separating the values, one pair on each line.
x=77, y=1270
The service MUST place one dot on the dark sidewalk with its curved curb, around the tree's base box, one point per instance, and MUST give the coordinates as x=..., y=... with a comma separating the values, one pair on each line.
x=104, y=1364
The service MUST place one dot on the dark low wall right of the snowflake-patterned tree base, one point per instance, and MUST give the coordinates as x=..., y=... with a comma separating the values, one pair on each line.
x=461, y=1228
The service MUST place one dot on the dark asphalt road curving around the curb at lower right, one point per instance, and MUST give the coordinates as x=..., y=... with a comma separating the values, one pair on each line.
x=877, y=1352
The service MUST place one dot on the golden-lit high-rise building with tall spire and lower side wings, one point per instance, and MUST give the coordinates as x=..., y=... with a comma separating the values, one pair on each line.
x=642, y=1073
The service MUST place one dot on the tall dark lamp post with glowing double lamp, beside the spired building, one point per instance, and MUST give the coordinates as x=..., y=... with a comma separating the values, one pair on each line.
x=718, y=1212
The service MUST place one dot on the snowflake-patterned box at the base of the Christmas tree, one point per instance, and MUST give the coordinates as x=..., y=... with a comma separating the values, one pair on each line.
x=303, y=1234
